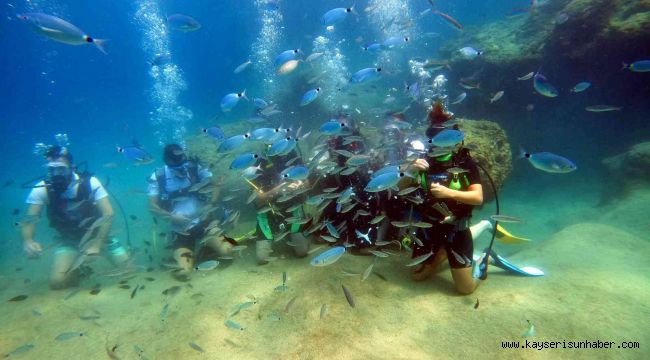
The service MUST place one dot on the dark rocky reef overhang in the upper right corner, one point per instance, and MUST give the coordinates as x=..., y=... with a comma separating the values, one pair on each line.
x=560, y=36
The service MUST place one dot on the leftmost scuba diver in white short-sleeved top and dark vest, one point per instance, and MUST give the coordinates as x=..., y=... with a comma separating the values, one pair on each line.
x=78, y=207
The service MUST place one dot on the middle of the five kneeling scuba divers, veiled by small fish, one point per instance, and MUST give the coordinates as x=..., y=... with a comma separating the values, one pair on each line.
x=270, y=187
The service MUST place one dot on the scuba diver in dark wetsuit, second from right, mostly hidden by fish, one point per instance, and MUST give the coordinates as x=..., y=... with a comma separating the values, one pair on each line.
x=350, y=182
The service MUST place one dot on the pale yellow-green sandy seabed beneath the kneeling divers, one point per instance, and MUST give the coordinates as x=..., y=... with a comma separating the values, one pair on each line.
x=596, y=289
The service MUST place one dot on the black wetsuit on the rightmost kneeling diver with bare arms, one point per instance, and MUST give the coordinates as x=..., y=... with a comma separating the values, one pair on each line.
x=455, y=237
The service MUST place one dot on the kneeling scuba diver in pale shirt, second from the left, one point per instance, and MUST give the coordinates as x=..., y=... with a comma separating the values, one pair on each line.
x=175, y=194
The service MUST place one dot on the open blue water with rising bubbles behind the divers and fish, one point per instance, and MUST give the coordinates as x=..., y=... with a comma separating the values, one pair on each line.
x=103, y=101
